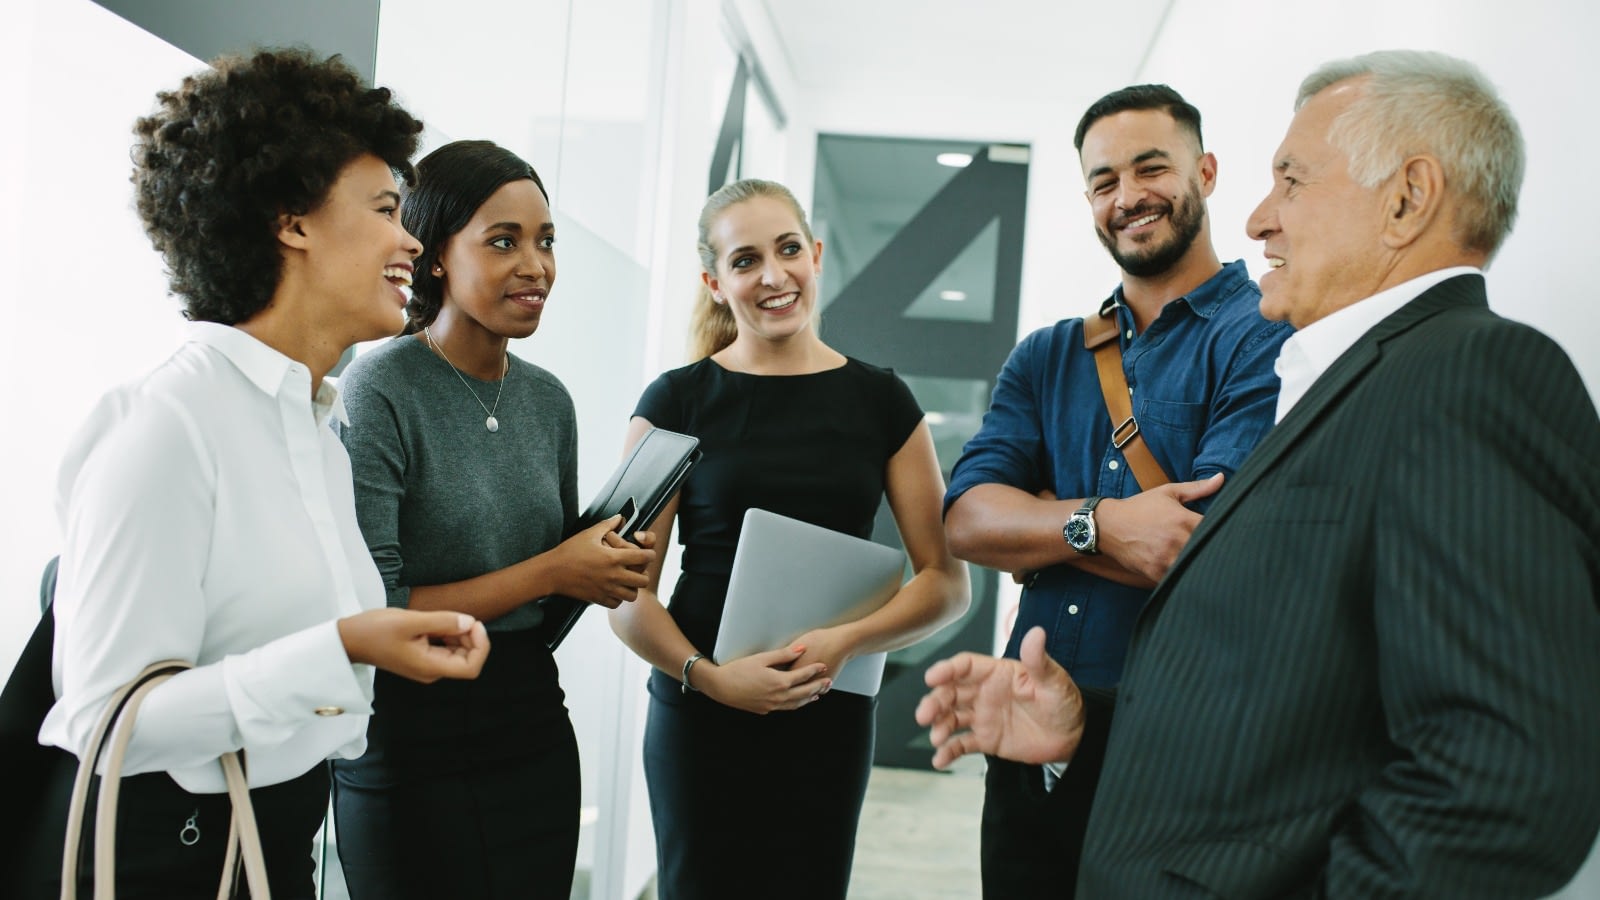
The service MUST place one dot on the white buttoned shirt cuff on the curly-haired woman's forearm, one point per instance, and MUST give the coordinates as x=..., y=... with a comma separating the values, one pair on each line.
x=278, y=688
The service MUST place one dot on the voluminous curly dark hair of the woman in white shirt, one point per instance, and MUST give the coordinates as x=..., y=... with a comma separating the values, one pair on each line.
x=241, y=145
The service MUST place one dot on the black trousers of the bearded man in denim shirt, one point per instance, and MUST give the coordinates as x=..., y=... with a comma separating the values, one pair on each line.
x=1033, y=840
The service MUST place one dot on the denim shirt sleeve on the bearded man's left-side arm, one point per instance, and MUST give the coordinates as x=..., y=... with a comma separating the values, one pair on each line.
x=1009, y=448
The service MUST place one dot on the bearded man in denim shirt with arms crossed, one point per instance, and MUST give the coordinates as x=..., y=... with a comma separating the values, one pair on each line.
x=1199, y=361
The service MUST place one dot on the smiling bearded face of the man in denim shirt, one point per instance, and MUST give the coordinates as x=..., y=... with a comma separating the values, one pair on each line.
x=1146, y=182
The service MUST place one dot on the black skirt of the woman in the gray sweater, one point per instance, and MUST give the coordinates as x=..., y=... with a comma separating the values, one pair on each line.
x=470, y=789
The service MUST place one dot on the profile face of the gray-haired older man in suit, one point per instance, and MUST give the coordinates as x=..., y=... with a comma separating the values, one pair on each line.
x=1322, y=231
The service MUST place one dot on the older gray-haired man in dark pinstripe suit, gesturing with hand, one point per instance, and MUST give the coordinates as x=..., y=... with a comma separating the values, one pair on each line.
x=1375, y=667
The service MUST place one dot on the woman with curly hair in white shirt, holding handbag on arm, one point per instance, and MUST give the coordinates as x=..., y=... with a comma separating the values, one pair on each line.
x=207, y=508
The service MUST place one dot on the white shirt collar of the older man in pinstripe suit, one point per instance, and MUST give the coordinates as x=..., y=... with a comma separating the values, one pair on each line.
x=1313, y=350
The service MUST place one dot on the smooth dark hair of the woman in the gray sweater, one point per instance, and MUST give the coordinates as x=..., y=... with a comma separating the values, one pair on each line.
x=450, y=187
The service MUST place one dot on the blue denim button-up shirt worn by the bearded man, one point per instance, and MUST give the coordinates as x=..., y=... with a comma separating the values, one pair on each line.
x=1204, y=393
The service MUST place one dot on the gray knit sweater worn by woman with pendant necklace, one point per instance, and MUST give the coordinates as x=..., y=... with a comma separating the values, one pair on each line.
x=439, y=497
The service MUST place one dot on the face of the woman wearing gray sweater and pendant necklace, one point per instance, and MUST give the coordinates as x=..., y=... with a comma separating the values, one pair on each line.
x=500, y=268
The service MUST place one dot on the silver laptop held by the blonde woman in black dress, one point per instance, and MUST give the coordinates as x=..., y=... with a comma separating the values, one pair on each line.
x=791, y=577
